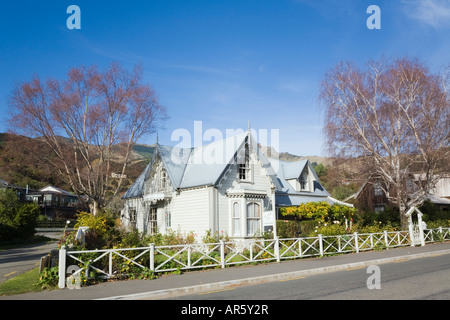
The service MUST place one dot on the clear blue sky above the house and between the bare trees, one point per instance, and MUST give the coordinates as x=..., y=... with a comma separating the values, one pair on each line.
x=222, y=62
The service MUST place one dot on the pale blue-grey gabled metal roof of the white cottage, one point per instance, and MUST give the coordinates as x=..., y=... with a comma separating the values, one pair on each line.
x=206, y=165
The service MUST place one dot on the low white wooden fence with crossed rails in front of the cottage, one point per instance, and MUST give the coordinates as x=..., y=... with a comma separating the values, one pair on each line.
x=111, y=263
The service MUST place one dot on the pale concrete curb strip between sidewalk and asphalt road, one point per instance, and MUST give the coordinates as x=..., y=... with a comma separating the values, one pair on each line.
x=167, y=293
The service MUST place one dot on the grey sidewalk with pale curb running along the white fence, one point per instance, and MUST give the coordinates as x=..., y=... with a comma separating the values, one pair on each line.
x=216, y=279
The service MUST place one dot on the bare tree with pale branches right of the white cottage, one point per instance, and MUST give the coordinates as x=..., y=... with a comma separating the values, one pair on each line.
x=394, y=114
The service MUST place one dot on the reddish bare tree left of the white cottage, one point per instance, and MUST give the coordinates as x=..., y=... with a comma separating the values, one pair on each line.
x=91, y=121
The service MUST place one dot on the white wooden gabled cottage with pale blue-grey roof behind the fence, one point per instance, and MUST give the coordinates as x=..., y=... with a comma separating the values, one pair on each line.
x=228, y=186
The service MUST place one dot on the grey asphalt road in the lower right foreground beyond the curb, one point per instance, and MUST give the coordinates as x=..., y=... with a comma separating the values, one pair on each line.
x=423, y=278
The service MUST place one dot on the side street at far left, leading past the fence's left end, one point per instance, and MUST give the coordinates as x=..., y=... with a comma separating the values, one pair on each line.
x=19, y=260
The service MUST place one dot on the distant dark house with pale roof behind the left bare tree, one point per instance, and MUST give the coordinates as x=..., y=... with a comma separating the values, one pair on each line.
x=56, y=202
